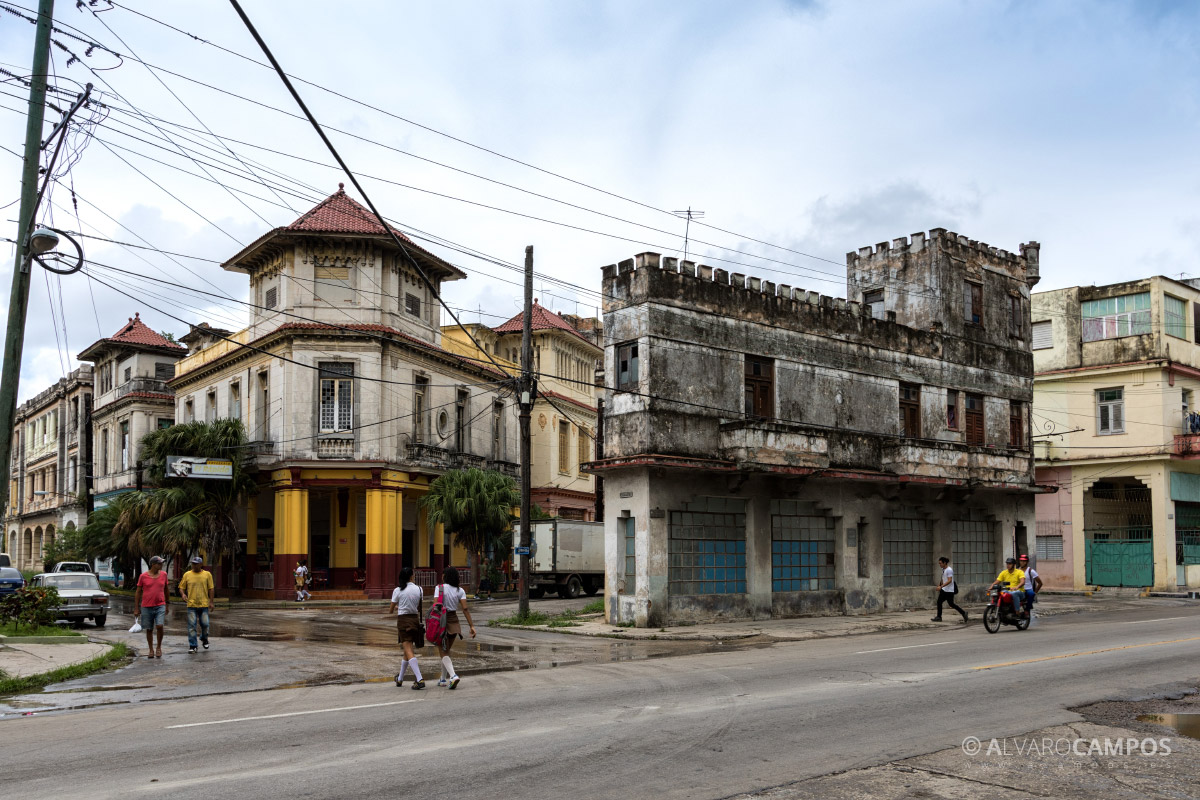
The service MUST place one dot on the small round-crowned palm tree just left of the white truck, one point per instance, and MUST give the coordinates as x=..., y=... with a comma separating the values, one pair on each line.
x=475, y=504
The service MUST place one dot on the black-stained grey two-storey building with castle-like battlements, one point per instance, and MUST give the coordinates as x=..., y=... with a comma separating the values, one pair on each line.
x=770, y=452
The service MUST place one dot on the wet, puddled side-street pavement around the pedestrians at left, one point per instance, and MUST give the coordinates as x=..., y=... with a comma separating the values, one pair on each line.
x=289, y=648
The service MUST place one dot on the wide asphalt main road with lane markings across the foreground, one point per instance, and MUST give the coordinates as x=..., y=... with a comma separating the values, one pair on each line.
x=703, y=726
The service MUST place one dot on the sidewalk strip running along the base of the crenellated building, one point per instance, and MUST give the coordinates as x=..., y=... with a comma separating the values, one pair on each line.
x=802, y=628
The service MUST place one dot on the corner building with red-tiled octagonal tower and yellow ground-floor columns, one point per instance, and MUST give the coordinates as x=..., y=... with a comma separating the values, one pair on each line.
x=351, y=401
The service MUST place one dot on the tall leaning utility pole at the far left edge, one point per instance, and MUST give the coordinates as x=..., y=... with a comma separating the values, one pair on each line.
x=19, y=300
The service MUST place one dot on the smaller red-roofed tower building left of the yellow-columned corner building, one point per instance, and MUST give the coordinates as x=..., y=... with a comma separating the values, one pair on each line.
x=131, y=400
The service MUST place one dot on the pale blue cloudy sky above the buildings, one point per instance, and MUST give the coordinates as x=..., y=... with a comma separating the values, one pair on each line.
x=802, y=128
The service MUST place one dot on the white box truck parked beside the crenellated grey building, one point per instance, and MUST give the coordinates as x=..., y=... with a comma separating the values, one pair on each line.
x=566, y=556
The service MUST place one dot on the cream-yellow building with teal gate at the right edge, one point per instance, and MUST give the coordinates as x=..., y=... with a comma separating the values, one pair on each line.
x=1115, y=392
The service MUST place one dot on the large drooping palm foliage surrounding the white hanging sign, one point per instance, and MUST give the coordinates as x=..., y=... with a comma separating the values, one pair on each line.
x=184, y=515
